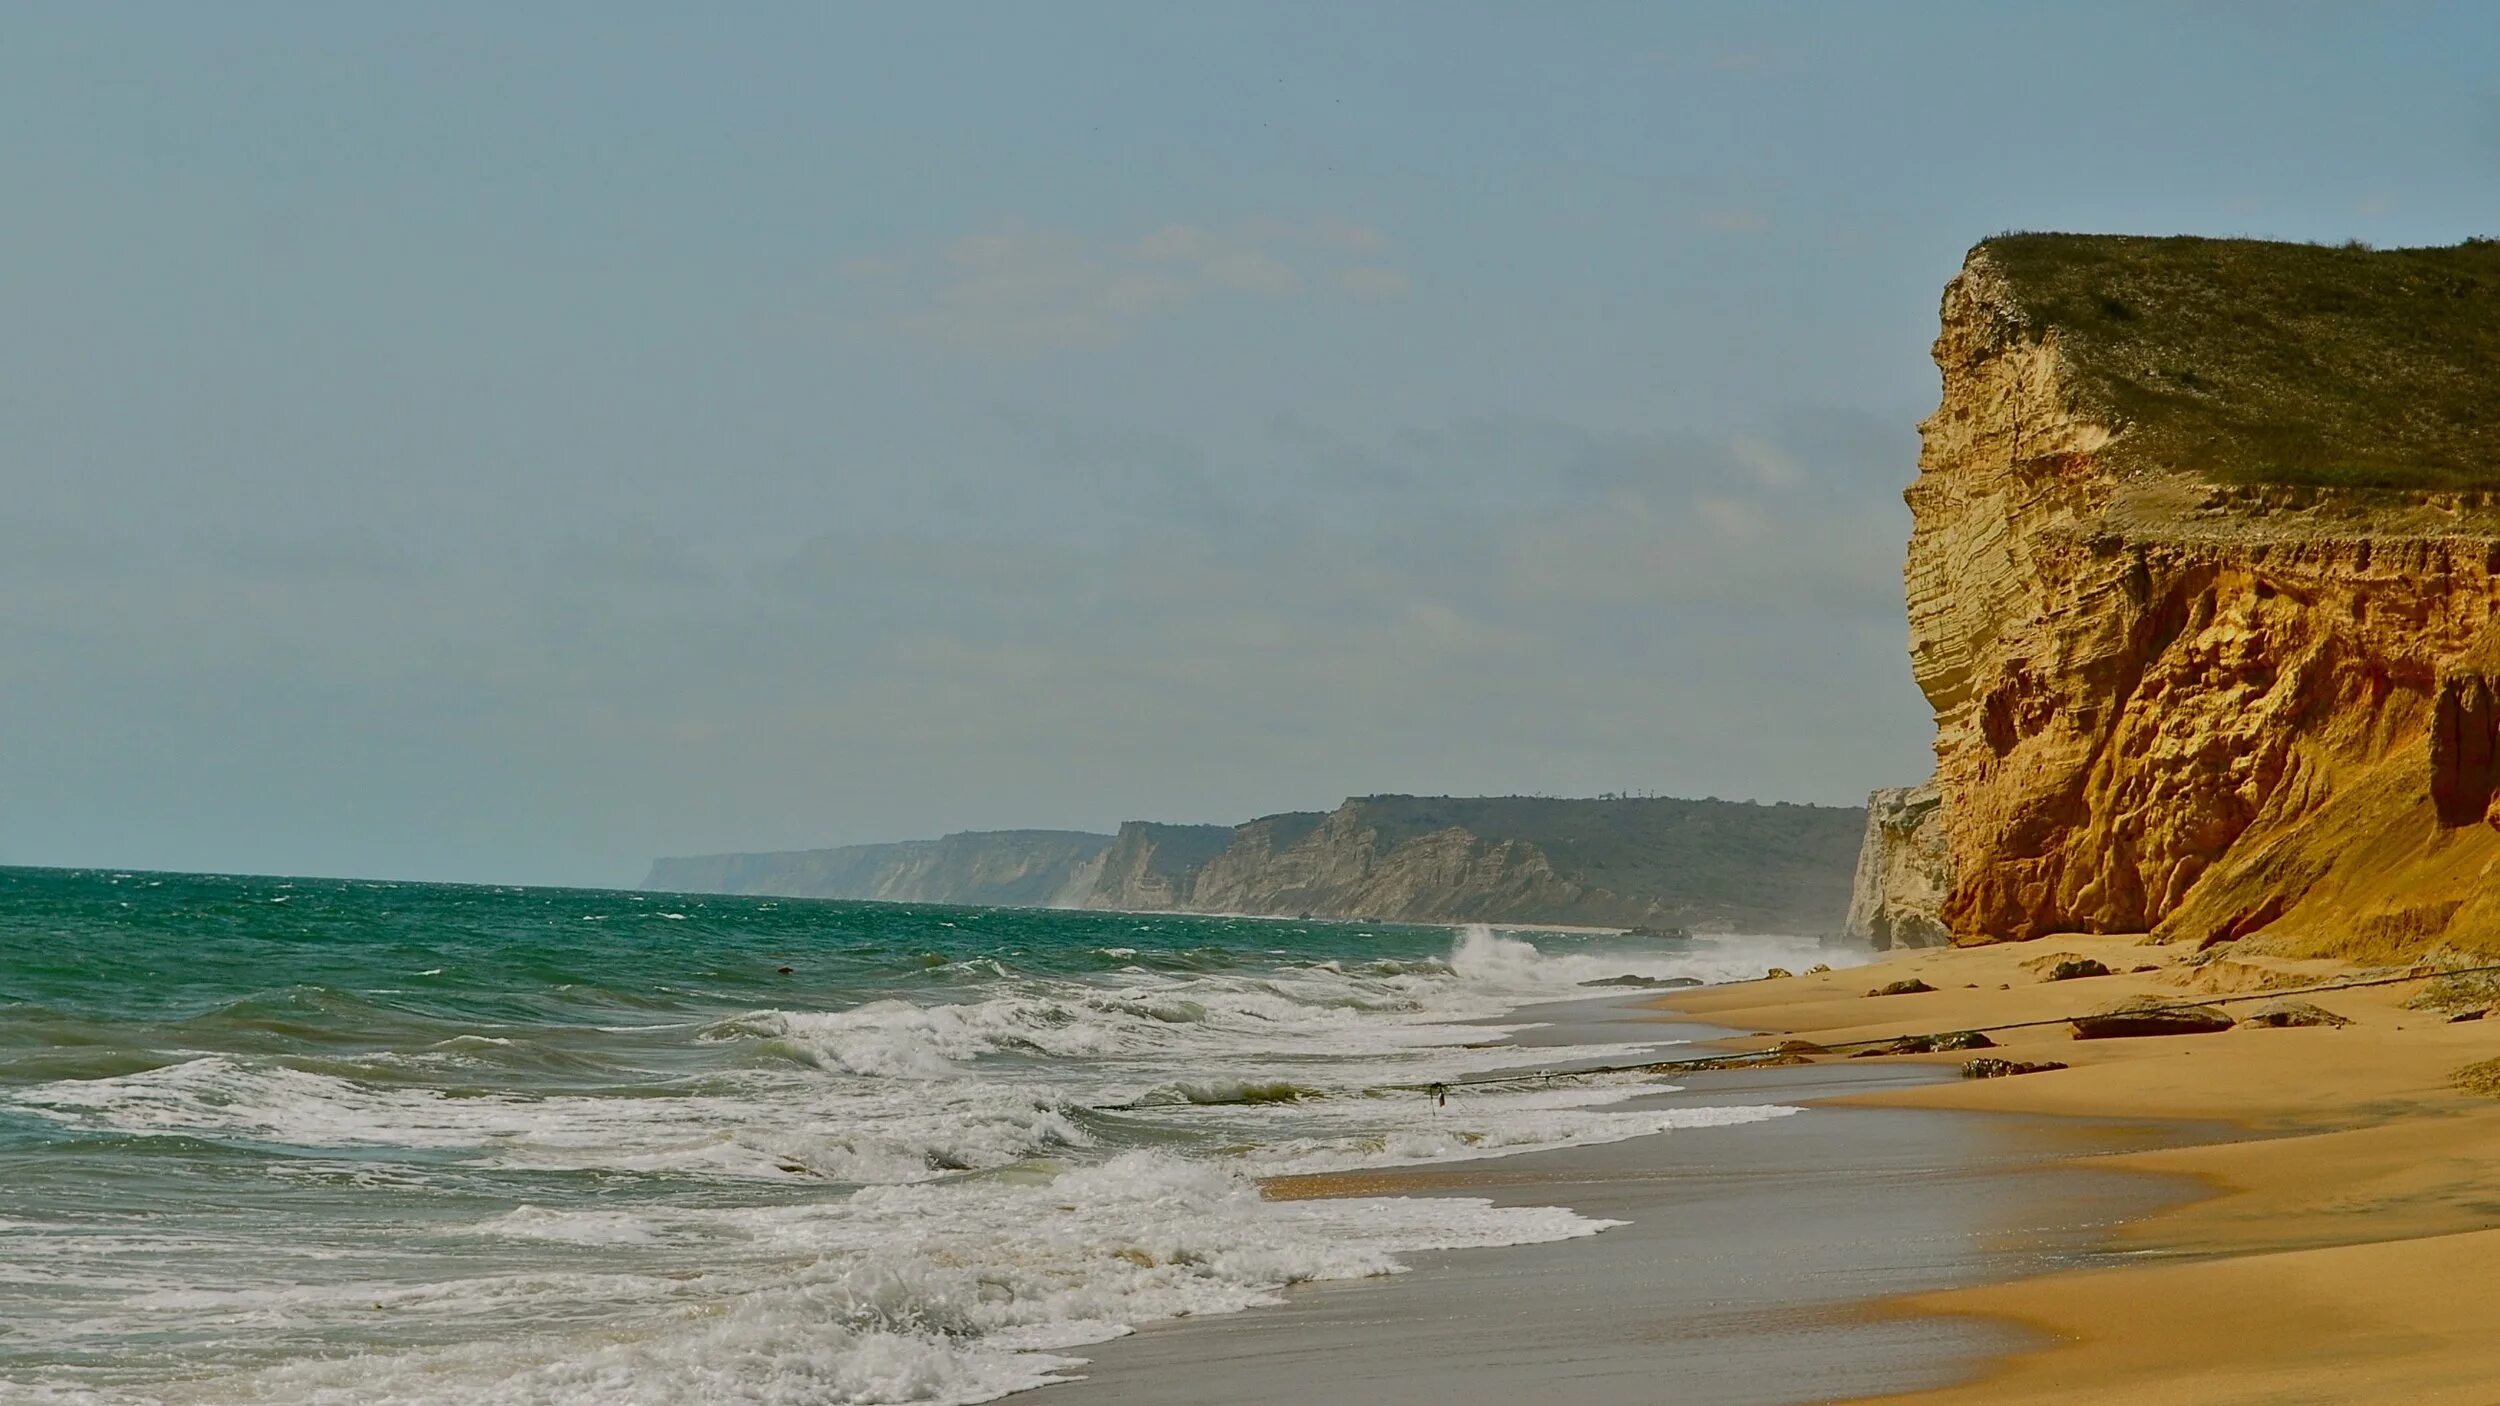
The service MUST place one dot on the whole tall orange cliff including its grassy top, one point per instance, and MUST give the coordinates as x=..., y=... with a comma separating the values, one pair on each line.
x=2201, y=592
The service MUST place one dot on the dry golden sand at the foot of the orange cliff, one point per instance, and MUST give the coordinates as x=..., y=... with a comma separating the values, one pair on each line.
x=2351, y=1212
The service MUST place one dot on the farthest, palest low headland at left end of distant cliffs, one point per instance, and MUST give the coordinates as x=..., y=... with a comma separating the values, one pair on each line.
x=974, y=869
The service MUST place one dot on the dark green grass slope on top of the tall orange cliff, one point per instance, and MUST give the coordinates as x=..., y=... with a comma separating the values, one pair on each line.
x=2251, y=362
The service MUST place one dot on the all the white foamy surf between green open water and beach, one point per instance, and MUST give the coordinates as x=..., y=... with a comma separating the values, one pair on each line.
x=939, y=1195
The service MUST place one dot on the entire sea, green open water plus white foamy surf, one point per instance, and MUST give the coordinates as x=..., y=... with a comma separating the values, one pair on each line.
x=331, y=1142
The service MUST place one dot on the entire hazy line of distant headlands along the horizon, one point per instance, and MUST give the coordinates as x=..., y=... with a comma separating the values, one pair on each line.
x=1411, y=859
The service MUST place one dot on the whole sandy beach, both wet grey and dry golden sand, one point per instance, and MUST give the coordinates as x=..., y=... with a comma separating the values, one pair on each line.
x=2256, y=1215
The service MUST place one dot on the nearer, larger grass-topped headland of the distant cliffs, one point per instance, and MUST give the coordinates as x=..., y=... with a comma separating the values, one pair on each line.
x=1511, y=859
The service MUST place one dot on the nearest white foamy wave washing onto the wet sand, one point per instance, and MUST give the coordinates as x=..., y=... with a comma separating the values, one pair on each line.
x=939, y=1297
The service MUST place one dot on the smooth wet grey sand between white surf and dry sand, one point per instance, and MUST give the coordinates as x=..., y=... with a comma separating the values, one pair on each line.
x=1739, y=1280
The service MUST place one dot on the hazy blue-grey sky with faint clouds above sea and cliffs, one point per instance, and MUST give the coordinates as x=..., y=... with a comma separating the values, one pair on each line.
x=511, y=444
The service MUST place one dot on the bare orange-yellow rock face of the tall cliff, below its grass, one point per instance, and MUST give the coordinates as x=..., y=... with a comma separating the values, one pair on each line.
x=2191, y=709
